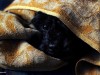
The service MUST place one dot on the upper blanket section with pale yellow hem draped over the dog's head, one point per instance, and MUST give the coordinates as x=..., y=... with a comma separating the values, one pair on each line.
x=84, y=15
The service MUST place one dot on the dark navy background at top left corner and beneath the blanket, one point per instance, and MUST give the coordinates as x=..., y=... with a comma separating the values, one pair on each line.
x=66, y=70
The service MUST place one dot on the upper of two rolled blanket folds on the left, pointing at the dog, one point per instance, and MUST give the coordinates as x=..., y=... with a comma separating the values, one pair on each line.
x=11, y=27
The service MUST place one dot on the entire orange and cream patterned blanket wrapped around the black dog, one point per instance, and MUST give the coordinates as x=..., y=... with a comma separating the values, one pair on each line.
x=80, y=16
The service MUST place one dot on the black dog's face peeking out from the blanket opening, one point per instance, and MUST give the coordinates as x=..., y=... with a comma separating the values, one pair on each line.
x=56, y=39
